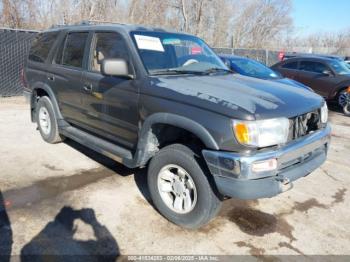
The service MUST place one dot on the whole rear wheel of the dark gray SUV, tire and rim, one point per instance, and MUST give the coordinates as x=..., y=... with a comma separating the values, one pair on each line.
x=46, y=120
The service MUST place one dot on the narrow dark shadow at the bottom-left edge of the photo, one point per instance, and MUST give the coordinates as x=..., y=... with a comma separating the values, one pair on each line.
x=5, y=232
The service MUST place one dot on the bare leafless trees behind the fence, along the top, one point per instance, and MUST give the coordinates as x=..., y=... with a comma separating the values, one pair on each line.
x=222, y=23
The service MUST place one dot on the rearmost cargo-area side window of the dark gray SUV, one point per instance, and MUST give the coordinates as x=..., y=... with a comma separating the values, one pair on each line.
x=41, y=46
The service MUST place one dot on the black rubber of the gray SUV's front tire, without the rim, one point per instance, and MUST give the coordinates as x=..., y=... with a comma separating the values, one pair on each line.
x=208, y=202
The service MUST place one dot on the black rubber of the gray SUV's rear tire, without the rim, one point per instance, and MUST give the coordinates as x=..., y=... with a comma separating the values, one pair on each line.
x=53, y=135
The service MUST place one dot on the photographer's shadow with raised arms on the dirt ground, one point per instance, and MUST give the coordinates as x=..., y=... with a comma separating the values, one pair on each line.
x=57, y=242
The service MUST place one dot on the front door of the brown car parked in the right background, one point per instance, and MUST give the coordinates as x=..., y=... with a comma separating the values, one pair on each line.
x=312, y=74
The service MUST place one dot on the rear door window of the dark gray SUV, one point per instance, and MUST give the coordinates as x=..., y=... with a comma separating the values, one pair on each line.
x=73, y=53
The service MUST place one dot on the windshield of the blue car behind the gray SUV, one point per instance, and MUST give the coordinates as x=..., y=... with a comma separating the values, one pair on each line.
x=253, y=68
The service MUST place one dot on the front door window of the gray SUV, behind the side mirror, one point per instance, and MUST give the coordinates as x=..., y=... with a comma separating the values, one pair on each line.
x=107, y=46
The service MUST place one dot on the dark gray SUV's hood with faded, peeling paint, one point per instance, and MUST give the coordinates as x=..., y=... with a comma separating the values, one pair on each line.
x=236, y=96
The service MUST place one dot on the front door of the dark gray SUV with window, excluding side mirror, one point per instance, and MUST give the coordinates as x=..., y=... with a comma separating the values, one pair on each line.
x=110, y=102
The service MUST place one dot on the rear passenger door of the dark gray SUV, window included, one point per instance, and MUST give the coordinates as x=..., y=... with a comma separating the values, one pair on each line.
x=67, y=75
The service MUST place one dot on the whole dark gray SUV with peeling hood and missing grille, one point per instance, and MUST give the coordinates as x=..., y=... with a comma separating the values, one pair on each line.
x=152, y=98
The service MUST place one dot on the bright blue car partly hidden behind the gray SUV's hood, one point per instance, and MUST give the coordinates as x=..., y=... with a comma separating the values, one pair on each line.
x=250, y=67
